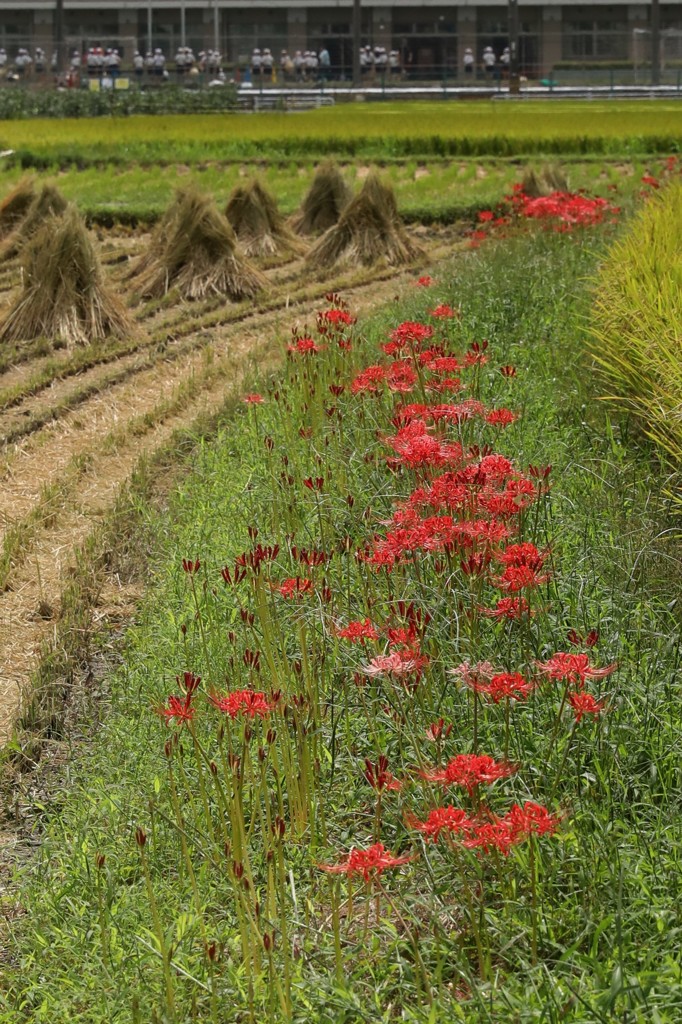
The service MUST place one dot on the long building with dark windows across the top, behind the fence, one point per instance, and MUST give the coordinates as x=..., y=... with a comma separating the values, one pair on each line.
x=429, y=34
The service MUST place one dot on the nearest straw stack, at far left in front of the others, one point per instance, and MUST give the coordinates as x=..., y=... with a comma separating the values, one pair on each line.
x=65, y=297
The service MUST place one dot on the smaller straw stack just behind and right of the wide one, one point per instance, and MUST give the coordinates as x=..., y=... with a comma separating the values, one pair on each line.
x=259, y=225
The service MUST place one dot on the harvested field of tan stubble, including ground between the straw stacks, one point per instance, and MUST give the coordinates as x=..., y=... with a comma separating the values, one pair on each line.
x=75, y=421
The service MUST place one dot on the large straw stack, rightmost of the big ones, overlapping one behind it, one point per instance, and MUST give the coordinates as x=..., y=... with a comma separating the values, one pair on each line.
x=369, y=232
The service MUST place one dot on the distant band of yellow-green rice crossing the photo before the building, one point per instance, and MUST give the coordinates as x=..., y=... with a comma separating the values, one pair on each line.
x=393, y=130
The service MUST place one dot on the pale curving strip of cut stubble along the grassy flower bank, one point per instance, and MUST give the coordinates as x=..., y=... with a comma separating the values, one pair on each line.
x=92, y=430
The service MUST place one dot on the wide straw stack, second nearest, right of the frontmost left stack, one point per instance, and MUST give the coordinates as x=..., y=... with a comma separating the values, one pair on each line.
x=200, y=257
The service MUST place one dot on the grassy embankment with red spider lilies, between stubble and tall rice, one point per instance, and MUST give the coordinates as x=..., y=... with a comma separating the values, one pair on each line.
x=183, y=876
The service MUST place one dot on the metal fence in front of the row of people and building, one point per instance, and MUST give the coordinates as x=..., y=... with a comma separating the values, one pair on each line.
x=556, y=60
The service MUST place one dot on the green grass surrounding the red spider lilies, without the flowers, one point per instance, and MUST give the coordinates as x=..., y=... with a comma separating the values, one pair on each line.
x=91, y=949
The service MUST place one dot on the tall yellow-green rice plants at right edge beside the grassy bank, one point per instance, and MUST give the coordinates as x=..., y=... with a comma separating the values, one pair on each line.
x=636, y=324
